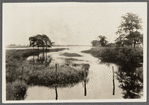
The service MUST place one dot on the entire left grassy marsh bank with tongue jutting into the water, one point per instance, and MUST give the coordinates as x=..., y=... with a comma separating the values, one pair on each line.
x=20, y=73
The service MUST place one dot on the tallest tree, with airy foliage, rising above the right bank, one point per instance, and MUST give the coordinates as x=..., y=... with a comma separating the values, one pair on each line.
x=129, y=30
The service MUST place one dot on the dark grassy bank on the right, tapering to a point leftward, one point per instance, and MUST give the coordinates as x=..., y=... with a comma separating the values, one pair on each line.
x=124, y=55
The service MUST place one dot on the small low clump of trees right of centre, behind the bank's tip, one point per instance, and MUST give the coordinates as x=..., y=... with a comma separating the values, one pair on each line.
x=101, y=42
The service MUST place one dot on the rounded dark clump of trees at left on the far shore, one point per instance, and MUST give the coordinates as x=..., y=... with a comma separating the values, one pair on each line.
x=40, y=41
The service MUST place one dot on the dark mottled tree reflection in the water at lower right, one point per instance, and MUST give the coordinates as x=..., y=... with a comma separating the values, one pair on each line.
x=131, y=82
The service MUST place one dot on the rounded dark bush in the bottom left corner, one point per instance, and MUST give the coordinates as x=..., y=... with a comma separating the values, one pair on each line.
x=16, y=90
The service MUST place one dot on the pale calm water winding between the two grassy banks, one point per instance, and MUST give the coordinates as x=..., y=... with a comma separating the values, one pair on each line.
x=98, y=86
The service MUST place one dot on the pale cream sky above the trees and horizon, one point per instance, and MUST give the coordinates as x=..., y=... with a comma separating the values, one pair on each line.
x=69, y=23
